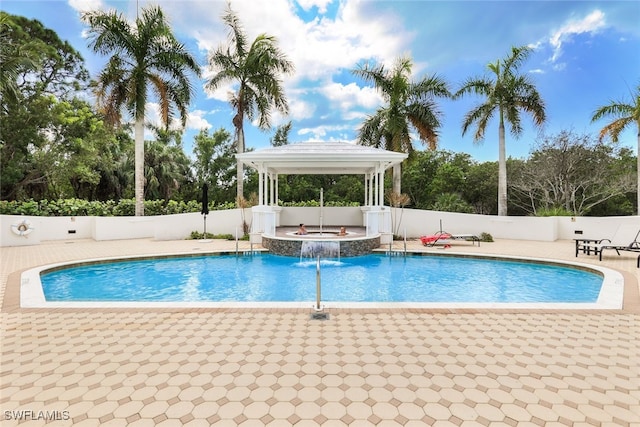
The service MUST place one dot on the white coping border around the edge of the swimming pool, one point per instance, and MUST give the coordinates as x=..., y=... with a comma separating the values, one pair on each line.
x=31, y=295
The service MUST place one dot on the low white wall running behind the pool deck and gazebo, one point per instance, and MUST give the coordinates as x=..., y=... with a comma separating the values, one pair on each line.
x=411, y=222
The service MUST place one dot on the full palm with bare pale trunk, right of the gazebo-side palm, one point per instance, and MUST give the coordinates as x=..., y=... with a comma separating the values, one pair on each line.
x=507, y=93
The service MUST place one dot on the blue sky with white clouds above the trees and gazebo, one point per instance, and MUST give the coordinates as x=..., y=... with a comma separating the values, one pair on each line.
x=586, y=53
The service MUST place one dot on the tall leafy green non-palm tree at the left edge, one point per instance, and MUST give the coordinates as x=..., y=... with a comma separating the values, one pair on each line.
x=39, y=73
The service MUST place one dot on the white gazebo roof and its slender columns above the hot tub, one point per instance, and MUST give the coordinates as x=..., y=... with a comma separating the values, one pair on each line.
x=321, y=158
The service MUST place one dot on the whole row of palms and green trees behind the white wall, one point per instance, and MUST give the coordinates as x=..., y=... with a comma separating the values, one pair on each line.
x=56, y=144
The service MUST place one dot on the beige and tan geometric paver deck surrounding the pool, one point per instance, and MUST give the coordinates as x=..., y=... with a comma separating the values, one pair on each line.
x=252, y=367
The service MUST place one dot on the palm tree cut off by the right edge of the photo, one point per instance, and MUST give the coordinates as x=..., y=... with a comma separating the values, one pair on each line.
x=625, y=114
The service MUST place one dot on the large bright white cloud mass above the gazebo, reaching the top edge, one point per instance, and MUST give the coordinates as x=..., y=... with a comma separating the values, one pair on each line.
x=319, y=49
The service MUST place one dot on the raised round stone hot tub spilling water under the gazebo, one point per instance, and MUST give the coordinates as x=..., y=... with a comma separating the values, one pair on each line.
x=326, y=242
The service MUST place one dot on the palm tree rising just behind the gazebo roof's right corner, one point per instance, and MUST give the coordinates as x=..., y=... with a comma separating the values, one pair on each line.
x=409, y=106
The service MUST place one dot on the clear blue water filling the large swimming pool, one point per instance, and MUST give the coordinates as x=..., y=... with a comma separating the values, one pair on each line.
x=372, y=278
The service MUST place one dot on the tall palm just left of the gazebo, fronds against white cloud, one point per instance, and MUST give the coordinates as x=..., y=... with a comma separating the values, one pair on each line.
x=256, y=70
